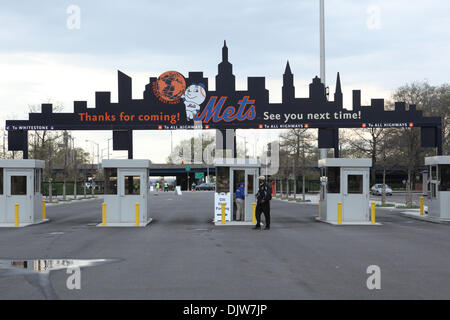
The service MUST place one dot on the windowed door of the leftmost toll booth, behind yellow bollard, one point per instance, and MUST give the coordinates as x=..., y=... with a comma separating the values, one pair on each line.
x=19, y=190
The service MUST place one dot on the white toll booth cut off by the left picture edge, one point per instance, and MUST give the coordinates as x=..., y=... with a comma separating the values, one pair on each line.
x=20, y=192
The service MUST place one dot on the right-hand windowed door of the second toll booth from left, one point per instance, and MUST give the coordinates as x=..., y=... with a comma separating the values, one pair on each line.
x=132, y=189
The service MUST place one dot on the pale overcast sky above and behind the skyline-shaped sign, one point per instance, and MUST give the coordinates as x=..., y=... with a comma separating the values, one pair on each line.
x=377, y=46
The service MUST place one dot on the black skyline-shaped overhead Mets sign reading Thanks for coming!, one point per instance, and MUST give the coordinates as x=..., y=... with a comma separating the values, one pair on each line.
x=172, y=102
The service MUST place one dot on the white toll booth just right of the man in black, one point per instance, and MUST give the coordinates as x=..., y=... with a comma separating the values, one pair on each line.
x=345, y=181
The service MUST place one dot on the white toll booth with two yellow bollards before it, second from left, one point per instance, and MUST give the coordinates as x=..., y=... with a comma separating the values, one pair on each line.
x=127, y=189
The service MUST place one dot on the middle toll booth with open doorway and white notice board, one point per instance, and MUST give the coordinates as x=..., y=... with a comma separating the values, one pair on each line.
x=230, y=172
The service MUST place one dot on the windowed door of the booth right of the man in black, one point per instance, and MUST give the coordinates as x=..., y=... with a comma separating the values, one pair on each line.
x=355, y=195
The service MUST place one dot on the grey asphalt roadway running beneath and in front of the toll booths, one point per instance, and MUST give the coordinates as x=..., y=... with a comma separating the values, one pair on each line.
x=181, y=255
